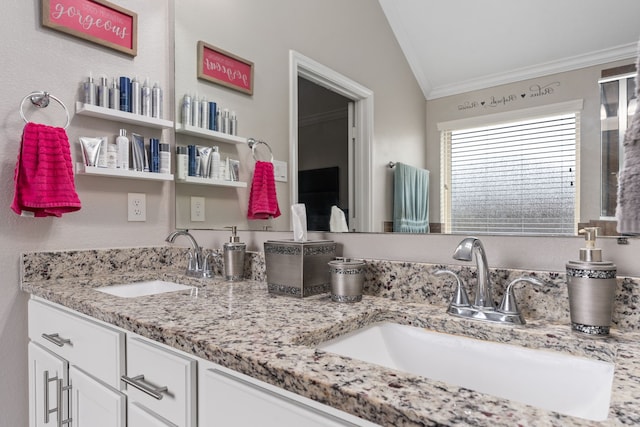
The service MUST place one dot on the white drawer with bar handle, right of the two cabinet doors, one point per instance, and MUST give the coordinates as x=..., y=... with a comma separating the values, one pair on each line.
x=154, y=367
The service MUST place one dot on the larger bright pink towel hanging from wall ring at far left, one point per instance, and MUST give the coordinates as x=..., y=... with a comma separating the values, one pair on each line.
x=43, y=176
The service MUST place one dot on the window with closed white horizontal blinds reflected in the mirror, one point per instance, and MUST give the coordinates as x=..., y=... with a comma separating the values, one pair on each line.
x=516, y=177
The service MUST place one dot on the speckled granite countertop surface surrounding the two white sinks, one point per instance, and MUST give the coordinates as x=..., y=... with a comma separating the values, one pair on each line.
x=273, y=338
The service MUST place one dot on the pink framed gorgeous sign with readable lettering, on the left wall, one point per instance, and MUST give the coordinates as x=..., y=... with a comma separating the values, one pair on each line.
x=98, y=21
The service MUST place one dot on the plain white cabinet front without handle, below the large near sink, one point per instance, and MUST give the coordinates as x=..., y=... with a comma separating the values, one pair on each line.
x=231, y=399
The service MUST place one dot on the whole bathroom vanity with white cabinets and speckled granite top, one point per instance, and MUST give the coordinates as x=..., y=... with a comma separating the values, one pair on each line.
x=255, y=356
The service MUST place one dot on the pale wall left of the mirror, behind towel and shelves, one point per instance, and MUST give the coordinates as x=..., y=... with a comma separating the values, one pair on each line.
x=37, y=58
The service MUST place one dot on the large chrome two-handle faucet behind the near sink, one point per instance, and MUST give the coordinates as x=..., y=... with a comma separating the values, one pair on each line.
x=484, y=307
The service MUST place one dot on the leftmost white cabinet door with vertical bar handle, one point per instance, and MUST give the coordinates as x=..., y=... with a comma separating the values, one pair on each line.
x=45, y=371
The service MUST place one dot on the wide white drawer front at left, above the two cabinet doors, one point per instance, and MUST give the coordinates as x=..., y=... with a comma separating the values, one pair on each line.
x=94, y=347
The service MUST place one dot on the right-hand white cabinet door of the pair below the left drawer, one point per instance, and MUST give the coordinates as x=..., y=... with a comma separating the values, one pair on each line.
x=93, y=403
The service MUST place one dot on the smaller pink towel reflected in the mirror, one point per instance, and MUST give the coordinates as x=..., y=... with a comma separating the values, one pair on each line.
x=263, y=202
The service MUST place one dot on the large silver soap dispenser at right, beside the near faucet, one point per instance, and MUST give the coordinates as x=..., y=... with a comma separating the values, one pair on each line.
x=591, y=283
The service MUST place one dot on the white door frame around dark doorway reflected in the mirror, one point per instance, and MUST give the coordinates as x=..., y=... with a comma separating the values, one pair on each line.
x=360, y=134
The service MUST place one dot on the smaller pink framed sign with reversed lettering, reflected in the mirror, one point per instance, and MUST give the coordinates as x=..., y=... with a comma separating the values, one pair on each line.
x=224, y=68
